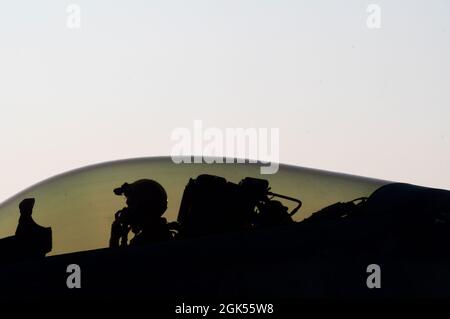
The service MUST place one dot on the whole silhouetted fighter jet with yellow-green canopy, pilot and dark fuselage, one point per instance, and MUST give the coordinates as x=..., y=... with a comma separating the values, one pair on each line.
x=150, y=228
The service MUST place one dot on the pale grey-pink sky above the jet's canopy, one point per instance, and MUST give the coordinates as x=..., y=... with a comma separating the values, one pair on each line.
x=345, y=97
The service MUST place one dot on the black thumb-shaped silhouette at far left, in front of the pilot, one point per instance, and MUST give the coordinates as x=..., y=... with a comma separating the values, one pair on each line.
x=31, y=240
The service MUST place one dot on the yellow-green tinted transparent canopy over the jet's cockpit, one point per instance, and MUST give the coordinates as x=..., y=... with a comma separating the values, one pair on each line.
x=80, y=206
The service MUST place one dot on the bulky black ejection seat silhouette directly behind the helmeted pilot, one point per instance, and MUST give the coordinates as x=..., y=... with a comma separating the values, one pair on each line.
x=212, y=205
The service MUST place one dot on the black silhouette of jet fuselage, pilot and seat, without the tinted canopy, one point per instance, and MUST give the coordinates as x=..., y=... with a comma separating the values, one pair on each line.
x=258, y=251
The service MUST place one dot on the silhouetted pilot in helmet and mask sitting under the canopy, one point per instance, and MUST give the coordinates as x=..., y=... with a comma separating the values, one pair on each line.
x=146, y=203
